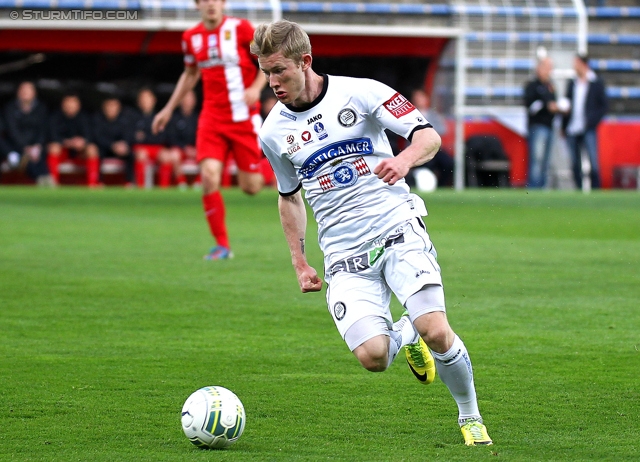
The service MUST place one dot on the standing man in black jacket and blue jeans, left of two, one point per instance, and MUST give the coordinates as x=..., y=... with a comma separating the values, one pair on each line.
x=540, y=101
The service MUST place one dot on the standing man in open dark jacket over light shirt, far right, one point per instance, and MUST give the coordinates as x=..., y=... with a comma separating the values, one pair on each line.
x=588, y=98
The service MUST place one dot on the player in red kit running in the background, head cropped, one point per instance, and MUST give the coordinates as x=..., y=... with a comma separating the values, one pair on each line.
x=217, y=49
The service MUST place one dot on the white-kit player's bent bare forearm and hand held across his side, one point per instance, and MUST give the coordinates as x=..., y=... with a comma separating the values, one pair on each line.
x=424, y=146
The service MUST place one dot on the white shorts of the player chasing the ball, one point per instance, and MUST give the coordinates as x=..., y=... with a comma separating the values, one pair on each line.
x=402, y=261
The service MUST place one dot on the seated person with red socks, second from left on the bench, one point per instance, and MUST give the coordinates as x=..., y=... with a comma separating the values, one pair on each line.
x=70, y=138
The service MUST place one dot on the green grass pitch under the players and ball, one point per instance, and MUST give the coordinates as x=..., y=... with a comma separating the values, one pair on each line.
x=109, y=319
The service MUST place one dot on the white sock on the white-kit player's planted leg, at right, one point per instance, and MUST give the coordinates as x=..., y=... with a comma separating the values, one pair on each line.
x=455, y=371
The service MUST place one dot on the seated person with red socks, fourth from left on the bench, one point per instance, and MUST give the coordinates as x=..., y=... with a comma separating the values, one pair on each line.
x=150, y=148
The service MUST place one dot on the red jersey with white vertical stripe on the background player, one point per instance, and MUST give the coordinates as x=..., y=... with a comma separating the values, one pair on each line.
x=226, y=66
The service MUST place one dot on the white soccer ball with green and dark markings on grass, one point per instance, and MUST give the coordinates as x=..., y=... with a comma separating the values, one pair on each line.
x=213, y=417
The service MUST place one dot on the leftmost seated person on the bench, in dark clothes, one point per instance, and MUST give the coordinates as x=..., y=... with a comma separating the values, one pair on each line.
x=26, y=122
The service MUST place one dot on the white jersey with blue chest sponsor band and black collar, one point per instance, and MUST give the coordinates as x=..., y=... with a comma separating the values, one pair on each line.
x=331, y=148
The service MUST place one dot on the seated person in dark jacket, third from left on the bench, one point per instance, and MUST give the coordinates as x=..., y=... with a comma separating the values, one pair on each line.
x=113, y=135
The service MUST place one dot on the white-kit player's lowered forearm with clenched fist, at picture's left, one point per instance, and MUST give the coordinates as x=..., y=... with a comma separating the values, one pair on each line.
x=293, y=217
